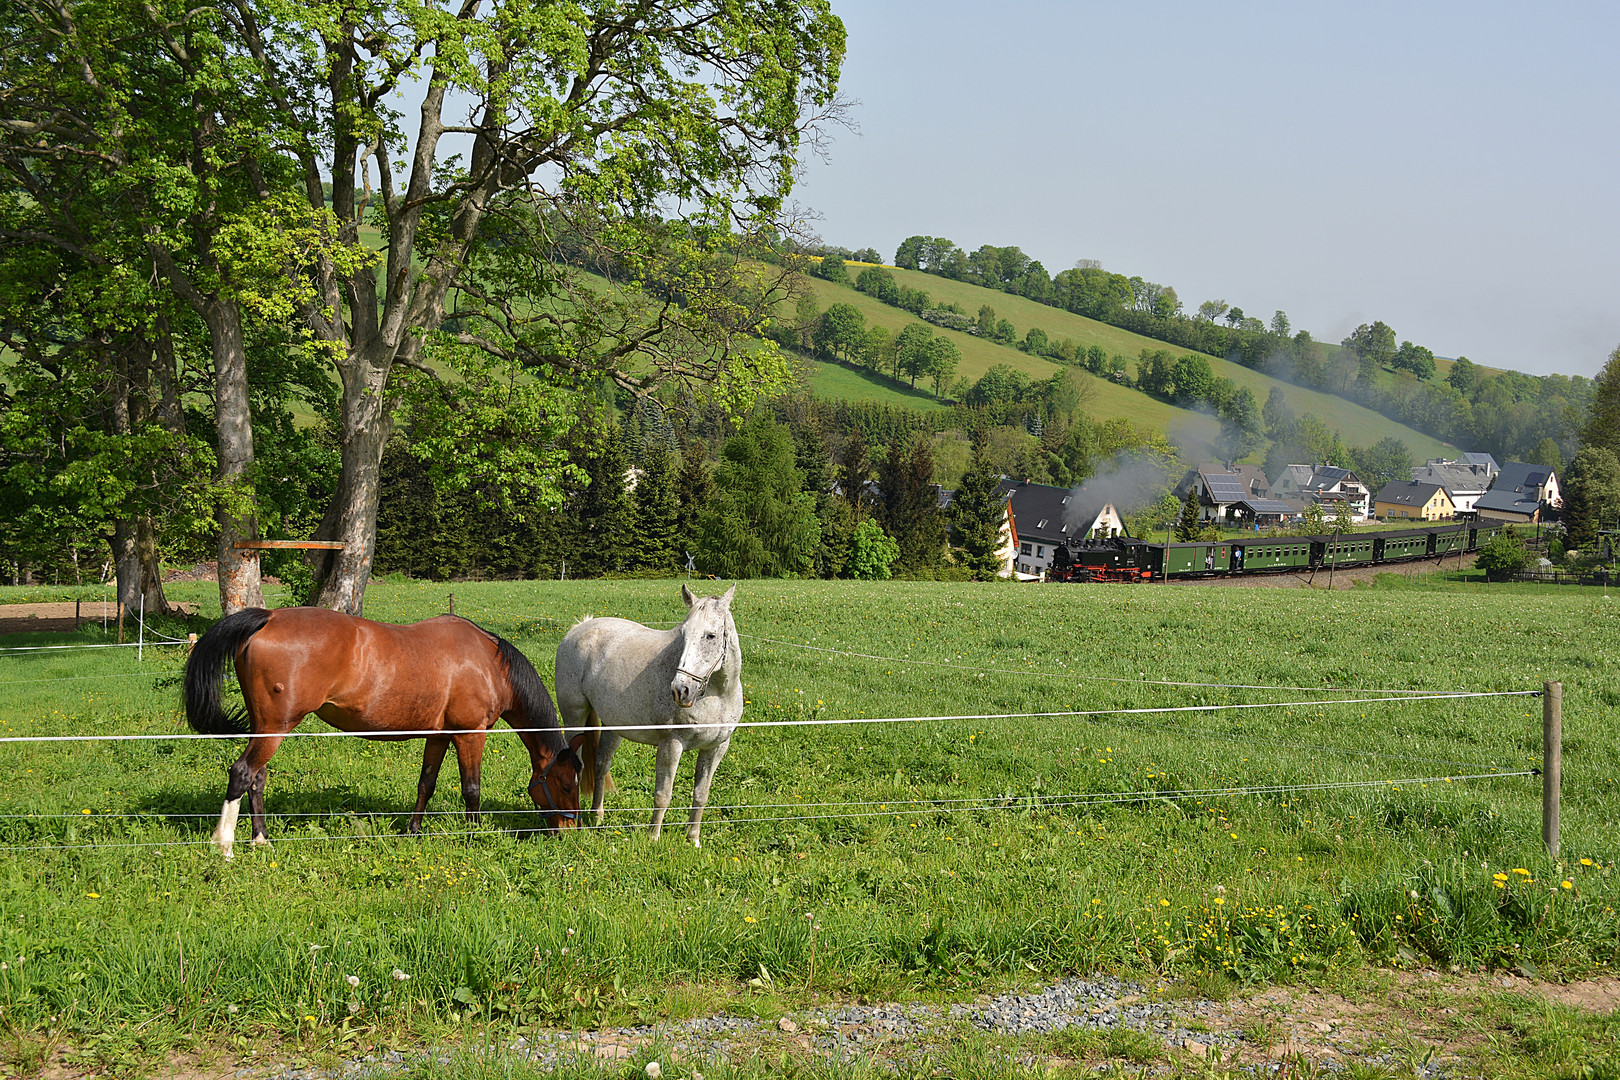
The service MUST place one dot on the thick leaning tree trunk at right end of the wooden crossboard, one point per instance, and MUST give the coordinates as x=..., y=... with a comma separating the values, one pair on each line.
x=352, y=516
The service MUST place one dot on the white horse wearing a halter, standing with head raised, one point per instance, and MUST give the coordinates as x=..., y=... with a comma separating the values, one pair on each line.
x=671, y=689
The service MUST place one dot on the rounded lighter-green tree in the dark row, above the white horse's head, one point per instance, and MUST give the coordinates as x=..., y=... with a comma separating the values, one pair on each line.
x=761, y=524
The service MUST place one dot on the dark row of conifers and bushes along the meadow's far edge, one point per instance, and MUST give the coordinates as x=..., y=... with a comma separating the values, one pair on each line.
x=775, y=501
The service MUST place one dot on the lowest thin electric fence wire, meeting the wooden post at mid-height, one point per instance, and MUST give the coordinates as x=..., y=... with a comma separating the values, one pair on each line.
x=1101, y=799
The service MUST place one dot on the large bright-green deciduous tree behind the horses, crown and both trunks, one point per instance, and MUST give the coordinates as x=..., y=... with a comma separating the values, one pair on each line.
x=647, y=142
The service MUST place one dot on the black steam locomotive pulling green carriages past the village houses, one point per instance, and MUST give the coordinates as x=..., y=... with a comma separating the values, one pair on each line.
x=1128, y=559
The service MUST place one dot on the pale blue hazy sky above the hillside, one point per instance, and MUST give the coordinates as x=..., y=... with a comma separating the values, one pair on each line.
x=1449, y=169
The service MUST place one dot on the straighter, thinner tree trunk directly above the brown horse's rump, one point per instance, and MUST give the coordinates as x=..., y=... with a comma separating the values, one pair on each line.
x=239, y=571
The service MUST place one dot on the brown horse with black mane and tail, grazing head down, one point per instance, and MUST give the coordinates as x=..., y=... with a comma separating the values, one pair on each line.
x=443, y=674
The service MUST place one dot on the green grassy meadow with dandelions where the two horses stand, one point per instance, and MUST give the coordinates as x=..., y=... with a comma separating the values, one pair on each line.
x=927, y=859
